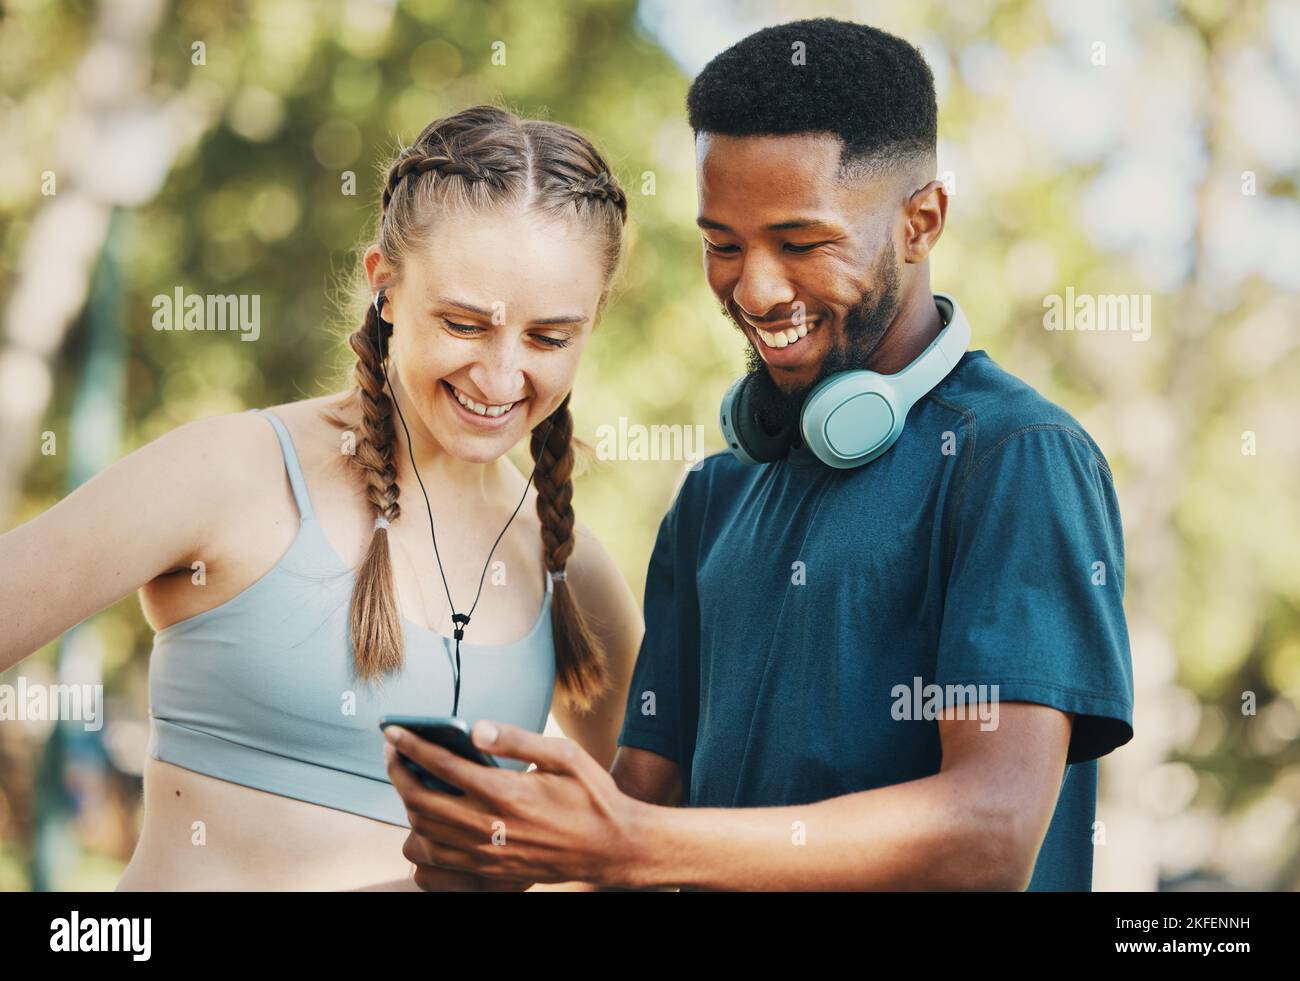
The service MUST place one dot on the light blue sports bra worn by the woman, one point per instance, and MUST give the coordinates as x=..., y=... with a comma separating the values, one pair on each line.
x=261, y=691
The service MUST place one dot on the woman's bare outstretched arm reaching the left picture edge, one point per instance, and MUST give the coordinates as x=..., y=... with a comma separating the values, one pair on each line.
x=150, y=514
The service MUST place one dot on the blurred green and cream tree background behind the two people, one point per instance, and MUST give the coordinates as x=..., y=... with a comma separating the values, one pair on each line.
x=1146, y=149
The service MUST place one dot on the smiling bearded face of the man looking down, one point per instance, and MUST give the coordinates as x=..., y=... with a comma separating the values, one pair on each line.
x=804, y=264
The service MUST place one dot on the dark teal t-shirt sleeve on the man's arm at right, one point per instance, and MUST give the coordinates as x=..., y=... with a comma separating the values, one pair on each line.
x=1035, y=591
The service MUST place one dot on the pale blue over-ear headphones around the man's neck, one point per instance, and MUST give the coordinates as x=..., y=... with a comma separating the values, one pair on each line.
x=852, y=418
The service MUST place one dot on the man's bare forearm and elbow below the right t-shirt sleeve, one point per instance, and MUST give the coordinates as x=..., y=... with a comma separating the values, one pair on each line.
x=978, y=824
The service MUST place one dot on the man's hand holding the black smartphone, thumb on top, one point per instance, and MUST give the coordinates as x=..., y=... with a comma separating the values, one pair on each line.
x=567, y=821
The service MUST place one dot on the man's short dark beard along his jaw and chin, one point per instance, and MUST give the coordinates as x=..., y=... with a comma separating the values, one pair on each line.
x=865, y=327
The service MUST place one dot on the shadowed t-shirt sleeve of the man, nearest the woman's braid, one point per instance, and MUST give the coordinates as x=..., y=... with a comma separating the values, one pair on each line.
x=657, y=719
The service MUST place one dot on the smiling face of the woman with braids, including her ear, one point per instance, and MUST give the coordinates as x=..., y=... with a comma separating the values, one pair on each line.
x=489, y=324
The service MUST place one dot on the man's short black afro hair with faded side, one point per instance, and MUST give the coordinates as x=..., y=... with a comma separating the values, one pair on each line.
x=870, y=89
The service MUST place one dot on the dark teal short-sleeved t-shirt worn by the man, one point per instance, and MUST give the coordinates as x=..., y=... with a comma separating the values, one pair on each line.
x=799, y=618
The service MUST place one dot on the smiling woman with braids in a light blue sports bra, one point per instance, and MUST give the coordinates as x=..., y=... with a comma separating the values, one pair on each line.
x=326, y=597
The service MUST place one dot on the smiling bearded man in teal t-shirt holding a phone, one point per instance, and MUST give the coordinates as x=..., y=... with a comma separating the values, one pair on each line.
x=891, y=676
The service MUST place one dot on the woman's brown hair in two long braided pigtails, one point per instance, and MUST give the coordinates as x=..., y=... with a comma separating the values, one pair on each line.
x=478, y=159
